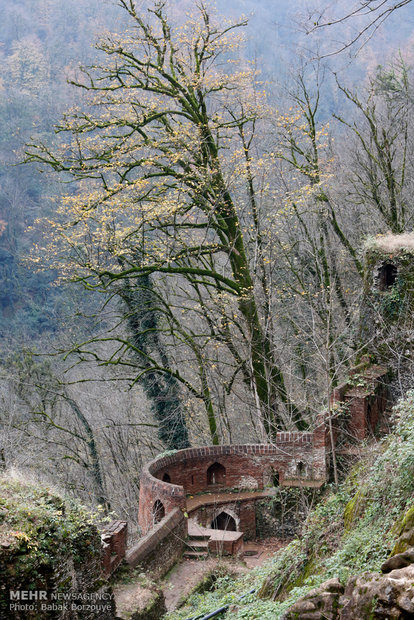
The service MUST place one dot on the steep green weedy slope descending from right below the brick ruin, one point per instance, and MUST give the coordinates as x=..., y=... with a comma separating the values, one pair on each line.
x=352, y=531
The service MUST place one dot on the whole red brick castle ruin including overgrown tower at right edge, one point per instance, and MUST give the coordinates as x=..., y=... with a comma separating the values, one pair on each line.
x=206, y=497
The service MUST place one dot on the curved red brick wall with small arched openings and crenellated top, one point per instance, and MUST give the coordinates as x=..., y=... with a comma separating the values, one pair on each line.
x=297, y=457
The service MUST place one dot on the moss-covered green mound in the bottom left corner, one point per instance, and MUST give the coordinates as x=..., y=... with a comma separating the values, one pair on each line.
x=49, y=543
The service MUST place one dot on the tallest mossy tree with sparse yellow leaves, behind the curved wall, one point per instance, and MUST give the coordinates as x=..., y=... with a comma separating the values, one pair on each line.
x=163, y=159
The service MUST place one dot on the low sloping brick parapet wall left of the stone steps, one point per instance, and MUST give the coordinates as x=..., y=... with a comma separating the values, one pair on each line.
x=162, y=547
